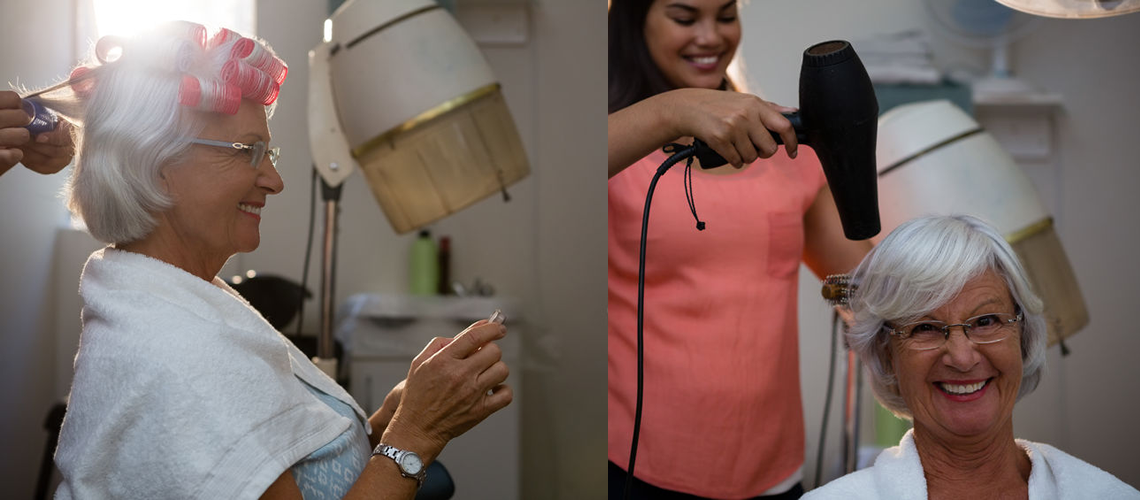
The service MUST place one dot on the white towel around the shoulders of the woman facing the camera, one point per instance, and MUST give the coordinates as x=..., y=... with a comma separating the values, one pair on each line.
x=1055, y=476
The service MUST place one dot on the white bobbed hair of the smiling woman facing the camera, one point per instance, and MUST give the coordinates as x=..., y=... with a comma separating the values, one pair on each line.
x=922, y=266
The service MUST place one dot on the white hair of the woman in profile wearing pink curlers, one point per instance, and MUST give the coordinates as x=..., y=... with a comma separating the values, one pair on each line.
x=133, y=122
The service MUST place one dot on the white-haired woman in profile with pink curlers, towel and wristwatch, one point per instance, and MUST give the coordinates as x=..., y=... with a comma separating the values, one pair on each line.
x=182, y=390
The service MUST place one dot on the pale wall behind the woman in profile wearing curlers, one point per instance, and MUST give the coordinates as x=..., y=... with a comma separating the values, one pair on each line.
x=545, y=248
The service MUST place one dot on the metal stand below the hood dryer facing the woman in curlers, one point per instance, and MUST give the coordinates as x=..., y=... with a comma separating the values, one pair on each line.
x=327, y=351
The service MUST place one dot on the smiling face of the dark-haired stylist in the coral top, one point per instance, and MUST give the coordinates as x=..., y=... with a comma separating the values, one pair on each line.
x=693, y=42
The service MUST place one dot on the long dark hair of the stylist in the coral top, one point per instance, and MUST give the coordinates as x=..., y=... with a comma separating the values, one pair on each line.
x=633, y=75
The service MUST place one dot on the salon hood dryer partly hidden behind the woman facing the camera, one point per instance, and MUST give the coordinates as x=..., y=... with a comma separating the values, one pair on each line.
x=934, y=159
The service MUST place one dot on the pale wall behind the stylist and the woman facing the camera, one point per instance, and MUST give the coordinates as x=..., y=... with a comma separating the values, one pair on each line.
x=1087, y=404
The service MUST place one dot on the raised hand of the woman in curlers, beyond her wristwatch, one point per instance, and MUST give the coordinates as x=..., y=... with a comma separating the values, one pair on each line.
x=452, y=386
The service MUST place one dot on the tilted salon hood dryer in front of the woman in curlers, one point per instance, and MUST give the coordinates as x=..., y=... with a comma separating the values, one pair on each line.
x=400, y=89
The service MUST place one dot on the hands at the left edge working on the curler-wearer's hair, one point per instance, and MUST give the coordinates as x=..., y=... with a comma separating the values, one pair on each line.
x=46, y=153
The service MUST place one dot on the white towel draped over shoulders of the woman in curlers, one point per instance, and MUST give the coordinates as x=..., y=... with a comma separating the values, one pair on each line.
x=182, y=390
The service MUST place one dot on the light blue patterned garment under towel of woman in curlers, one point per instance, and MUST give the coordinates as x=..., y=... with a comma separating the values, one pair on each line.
x=330, y=472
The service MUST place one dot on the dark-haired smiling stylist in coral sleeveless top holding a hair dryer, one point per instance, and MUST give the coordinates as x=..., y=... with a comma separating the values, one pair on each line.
x=723, y=416
